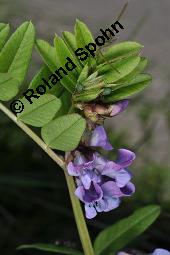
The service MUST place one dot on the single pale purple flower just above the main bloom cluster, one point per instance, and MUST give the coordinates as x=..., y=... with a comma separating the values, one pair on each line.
x=99, y=139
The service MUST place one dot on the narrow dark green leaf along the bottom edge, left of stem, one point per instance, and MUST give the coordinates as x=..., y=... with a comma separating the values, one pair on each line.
x=51, y=248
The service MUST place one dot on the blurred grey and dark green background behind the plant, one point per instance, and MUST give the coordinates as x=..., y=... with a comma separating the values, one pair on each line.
x=34, y=201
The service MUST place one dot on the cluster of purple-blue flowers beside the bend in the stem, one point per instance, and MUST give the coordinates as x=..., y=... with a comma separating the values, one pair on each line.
x=101, y=182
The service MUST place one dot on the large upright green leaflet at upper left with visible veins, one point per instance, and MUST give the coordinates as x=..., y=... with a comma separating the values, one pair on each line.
x=16, y=54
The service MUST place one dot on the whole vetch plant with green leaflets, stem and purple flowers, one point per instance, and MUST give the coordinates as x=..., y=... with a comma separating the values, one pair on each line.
x=71, y=117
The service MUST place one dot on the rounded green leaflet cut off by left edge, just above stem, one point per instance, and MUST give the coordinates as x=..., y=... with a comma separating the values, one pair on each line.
x=8, y=87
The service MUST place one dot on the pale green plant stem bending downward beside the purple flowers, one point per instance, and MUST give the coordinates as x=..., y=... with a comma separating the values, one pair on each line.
x=79, y=217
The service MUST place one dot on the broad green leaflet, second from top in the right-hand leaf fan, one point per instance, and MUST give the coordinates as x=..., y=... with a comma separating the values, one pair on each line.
x=119, y=69
